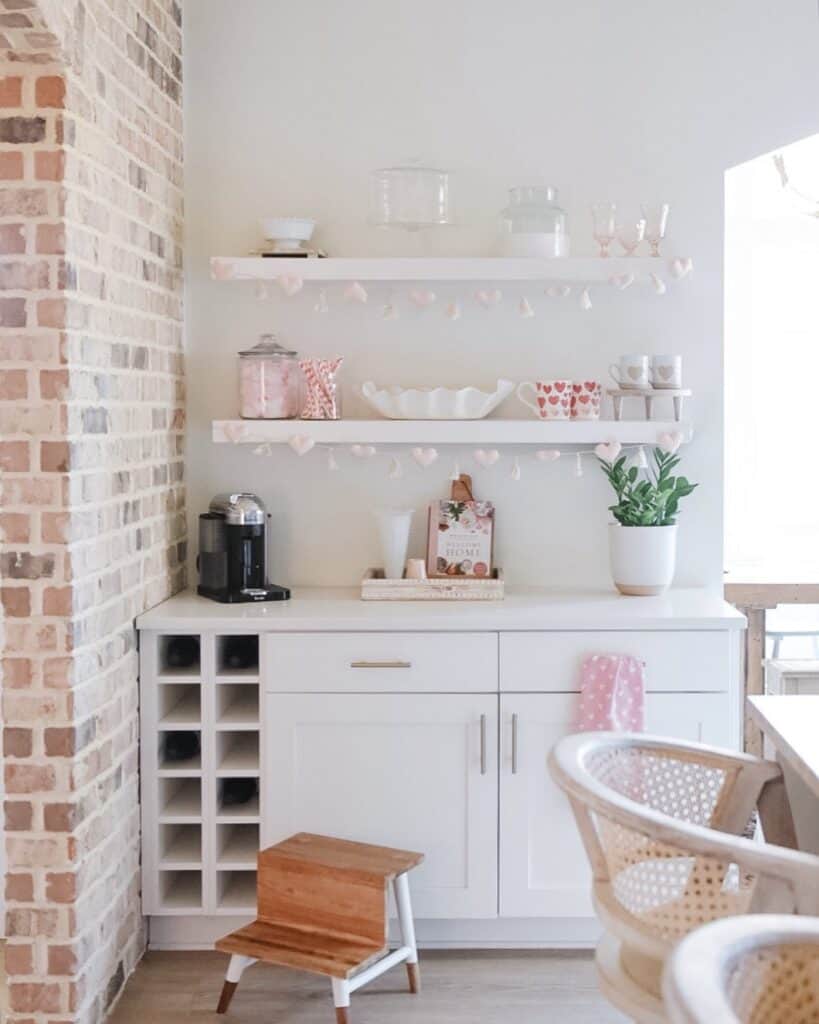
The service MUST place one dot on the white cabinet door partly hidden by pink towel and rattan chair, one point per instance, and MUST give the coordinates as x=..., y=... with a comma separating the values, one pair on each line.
x=544, y=871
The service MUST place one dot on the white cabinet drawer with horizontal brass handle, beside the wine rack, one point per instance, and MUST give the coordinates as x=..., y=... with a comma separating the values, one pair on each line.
x=381, y=663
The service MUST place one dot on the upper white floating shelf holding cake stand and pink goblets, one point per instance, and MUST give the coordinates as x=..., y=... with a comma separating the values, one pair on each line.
x=581, y=270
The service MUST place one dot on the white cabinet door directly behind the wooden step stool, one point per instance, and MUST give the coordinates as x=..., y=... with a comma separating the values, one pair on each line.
x=417, y=772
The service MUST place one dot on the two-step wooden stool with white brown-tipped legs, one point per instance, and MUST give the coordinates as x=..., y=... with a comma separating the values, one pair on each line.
x=323, y=908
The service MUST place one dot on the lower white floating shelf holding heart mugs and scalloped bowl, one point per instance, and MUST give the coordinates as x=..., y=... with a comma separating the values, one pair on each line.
x=447, y=432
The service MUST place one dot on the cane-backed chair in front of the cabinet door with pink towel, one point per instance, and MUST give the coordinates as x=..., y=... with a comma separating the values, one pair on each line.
x=663, y=825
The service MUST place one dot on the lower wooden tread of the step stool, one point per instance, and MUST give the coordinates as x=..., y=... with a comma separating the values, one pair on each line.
x=334, y=956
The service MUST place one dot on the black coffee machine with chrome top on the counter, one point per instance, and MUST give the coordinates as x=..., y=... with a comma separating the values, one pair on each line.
x=233, y=551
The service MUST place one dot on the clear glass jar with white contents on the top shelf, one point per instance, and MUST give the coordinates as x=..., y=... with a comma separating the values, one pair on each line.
x=534, y=224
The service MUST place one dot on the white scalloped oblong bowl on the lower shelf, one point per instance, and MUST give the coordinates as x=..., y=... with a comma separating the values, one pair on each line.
x=436, y=404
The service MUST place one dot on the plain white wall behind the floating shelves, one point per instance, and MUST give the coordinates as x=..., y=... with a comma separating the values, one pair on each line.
x=290, y=106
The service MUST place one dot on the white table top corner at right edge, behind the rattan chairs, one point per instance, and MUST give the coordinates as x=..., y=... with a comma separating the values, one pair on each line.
x=792, y=723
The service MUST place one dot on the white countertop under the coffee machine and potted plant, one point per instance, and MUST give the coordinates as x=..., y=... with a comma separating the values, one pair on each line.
x=315, y=609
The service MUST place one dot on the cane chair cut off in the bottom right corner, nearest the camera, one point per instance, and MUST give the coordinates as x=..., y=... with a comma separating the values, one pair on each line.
x=761, y=969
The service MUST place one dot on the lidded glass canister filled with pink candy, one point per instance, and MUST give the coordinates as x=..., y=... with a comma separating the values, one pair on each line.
x=270, y=381
